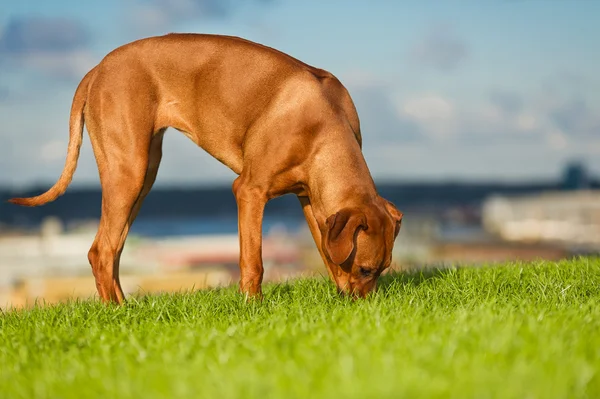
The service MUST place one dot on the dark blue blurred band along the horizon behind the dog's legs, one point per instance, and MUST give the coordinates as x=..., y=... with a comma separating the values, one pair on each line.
x=84, y=203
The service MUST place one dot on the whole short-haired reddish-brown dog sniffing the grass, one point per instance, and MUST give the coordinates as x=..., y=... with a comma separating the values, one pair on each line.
x=281, y=125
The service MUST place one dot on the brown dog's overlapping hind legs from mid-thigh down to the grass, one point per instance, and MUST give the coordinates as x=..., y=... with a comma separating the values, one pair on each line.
x=128, y=163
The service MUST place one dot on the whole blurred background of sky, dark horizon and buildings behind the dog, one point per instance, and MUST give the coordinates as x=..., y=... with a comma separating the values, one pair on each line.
x=480, y=120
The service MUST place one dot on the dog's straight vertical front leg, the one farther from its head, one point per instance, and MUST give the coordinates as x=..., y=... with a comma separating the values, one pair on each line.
x=251, y=202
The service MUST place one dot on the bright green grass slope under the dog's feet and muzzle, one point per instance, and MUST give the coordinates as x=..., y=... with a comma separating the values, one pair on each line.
x=514, y=331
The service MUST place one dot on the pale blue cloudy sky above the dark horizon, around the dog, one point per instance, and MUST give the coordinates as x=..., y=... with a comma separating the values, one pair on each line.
x=504, y=90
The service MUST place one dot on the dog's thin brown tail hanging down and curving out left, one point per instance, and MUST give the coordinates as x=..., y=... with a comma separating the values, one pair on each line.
x=76, y=122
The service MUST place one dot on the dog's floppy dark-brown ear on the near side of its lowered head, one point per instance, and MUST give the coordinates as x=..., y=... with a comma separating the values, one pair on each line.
x=340, y=236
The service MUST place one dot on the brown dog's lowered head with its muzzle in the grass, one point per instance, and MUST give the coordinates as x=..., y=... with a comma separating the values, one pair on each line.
x=359, y=241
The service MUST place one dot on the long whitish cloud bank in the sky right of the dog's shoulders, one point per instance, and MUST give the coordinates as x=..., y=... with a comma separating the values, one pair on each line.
x=500, y=118
